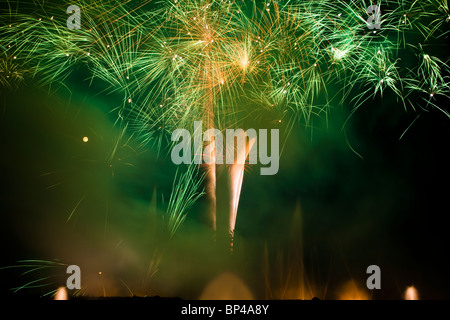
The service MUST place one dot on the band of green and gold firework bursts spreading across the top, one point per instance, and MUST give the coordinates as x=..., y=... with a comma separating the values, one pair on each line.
x=179, y=50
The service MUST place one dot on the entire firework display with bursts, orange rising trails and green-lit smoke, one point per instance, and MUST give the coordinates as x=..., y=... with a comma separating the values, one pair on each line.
x=131, y=73
